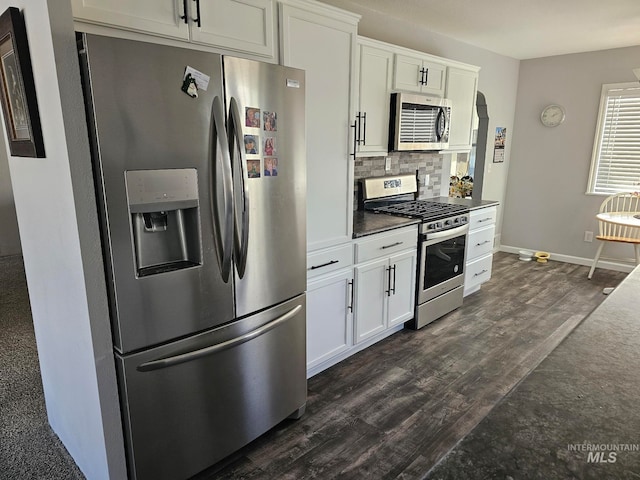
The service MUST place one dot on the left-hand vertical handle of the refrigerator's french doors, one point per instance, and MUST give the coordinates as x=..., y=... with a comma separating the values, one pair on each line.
x=223, y=228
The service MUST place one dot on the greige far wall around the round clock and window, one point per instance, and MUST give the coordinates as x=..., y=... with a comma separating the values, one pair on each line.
x=546, y=207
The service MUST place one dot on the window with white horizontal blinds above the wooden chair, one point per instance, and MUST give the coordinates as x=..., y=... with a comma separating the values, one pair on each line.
x=615, y=165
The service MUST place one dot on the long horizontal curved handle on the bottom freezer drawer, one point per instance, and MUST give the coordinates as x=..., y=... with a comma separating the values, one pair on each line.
x=218, y=347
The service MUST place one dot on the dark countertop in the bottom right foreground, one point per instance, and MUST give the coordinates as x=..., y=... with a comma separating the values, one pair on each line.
x=570, y=415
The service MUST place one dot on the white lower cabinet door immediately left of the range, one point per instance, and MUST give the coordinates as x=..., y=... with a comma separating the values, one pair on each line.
x=401, y=302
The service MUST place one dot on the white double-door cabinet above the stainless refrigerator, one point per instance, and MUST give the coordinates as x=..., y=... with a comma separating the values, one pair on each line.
x=246, y=26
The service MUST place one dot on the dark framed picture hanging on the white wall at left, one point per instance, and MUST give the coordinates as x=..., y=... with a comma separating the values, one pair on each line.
x=18, y=94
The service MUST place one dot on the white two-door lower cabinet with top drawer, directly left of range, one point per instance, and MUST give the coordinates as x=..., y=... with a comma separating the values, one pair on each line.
x=385, y=282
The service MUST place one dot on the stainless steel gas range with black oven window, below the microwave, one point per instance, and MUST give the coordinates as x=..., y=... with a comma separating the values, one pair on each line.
x=441, y=243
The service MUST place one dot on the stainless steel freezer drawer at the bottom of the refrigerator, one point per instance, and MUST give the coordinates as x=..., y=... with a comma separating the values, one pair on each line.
x=190, y=403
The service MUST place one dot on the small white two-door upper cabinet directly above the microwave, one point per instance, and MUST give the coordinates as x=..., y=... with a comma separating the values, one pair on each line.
x=421, y=75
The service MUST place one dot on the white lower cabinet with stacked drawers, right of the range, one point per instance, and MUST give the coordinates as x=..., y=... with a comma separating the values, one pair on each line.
x=482, y=226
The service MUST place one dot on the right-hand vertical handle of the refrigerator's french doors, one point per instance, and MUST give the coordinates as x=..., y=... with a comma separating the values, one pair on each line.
x=241, y=238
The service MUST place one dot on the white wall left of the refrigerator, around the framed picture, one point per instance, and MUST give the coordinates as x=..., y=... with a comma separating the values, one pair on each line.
x=56, y=213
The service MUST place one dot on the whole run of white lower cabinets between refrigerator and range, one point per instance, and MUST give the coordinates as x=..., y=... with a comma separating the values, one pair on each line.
x=350, y=308
